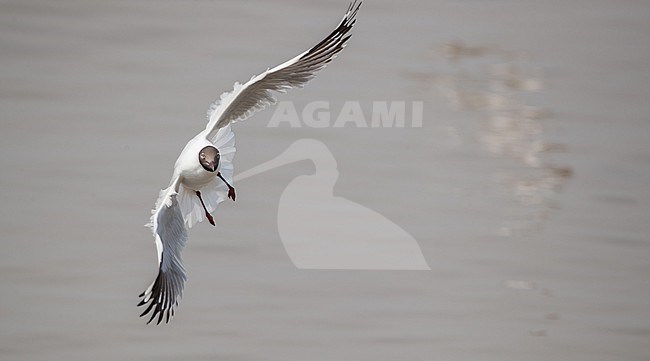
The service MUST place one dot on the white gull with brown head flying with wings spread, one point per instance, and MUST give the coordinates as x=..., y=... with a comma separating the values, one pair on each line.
x=203, y=172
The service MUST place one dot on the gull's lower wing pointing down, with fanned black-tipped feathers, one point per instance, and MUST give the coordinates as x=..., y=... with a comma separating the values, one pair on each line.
x=170, y=233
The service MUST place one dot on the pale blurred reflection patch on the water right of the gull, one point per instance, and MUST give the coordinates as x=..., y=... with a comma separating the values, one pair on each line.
x=496, y=83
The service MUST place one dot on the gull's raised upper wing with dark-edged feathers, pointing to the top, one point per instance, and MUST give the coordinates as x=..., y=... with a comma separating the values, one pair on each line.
x=255, y=95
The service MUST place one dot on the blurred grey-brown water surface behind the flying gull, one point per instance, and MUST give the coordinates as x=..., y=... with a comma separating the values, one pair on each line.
x=527, y=187
